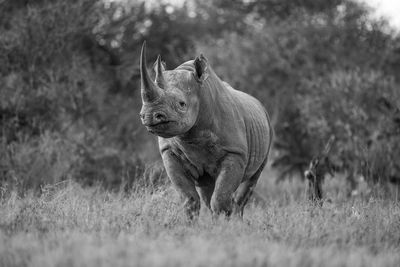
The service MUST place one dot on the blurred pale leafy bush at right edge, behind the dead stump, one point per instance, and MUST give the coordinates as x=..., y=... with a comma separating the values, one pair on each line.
x=351, y=106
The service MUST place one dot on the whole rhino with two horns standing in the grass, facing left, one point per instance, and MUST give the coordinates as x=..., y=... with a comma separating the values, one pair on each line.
x=214, y=140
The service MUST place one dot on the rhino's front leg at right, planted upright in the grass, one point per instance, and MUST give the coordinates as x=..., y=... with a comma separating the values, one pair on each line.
x=229, y=178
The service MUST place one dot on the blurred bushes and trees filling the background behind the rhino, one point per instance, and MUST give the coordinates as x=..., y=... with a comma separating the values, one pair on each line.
x=69, y=83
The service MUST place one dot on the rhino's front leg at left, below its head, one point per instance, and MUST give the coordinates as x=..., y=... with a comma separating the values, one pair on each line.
x=182, y=183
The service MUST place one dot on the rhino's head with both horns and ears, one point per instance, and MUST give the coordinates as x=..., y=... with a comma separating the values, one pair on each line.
x=170, y=103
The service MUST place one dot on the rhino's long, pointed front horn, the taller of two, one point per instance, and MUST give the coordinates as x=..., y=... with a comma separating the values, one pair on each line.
x=150, y=91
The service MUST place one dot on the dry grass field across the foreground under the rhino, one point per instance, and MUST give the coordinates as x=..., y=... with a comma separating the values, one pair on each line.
x=69, y=225
